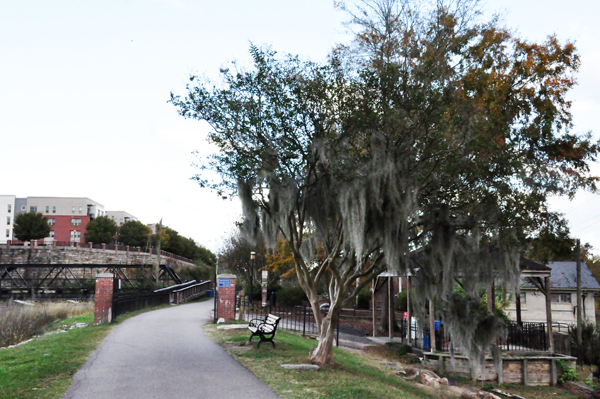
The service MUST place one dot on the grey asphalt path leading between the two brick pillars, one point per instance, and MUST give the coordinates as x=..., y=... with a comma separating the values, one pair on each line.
x=165, y=354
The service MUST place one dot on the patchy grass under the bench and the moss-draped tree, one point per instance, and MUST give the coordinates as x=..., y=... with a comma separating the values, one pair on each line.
x=354, y=375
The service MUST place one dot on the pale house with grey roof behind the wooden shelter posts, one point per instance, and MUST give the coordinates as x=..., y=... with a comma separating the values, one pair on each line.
x=563, y=296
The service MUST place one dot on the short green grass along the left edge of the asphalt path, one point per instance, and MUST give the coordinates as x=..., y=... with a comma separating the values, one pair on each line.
x=44, y=368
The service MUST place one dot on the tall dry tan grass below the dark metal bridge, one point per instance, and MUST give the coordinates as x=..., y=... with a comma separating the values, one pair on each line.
x=19, y=322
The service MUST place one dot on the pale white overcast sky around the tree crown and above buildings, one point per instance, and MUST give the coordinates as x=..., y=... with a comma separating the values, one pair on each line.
x=84, y=88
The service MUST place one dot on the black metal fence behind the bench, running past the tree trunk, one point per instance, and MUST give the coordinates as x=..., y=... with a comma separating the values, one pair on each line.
x=293, y=318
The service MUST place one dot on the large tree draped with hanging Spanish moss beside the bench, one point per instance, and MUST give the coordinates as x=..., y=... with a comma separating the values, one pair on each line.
x=429, y=145
